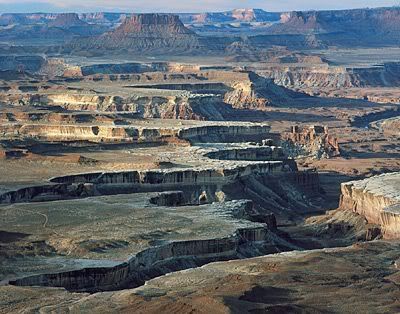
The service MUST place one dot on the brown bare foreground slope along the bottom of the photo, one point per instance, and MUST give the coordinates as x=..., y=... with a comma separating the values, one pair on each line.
x=286, y=282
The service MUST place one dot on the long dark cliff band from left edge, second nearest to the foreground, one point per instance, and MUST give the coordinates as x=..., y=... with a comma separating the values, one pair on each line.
x=196, y=182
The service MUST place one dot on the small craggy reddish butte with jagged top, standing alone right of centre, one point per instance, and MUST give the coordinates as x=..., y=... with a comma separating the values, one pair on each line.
x=312, y=141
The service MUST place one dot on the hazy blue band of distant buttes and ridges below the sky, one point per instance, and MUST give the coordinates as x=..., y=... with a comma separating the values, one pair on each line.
x=208, y=32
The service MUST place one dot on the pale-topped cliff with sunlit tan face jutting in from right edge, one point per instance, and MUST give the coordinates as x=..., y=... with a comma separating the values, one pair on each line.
x=377, y=199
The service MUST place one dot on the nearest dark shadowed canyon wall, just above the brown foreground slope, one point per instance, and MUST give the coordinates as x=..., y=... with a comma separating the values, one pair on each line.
x=160, y=260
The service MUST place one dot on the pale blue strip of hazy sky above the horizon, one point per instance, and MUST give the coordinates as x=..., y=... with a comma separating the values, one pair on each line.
x=182, y=5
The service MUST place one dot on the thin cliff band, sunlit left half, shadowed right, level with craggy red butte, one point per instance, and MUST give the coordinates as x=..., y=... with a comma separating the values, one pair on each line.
x=136, y=134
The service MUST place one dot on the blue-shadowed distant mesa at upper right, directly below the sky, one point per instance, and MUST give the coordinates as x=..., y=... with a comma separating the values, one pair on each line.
x=363, y=27
